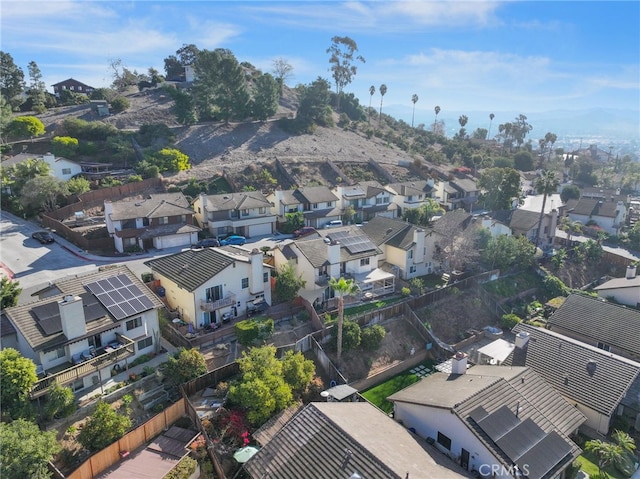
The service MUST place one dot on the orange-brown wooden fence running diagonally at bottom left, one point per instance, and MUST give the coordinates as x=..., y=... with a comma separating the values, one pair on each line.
x=110, y=455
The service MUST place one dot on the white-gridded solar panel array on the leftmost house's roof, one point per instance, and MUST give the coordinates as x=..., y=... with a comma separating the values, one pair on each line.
x=120, y=296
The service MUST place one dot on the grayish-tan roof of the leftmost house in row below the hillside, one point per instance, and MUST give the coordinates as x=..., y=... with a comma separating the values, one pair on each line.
x=154, y=206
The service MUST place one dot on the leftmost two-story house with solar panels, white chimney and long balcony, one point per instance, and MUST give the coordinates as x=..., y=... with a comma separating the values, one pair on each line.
x=87, y=326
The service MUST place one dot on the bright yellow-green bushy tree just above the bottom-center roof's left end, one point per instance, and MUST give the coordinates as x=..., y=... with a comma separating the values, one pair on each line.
x=262, y=389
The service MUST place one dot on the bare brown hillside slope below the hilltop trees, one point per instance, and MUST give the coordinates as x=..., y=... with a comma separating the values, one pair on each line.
x=215, y=147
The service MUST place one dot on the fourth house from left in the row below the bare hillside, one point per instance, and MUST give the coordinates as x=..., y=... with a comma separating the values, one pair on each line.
x=368, y=199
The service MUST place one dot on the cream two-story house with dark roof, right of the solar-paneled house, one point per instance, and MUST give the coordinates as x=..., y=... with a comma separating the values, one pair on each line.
x=210, y=285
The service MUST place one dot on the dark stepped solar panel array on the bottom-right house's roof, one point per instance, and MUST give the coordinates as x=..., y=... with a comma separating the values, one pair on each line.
x=524, y=442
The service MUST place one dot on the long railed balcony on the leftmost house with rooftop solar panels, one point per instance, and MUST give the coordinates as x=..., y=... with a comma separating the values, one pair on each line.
x=105, y=357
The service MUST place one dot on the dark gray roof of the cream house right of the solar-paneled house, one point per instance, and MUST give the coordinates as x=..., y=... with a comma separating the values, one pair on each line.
x=190, y=269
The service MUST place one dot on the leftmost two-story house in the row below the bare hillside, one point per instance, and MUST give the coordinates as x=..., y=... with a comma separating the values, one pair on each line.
x=155, y=221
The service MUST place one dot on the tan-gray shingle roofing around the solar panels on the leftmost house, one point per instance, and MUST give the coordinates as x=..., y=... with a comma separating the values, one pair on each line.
x=23, y=317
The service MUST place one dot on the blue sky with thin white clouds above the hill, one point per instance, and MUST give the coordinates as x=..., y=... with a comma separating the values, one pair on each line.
x=464, y=56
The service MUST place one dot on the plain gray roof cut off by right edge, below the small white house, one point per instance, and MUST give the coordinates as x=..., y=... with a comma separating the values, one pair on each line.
x=600, y=320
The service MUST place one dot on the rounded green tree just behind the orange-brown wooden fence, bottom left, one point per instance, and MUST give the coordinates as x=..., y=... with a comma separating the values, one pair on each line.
x=104, y=427
